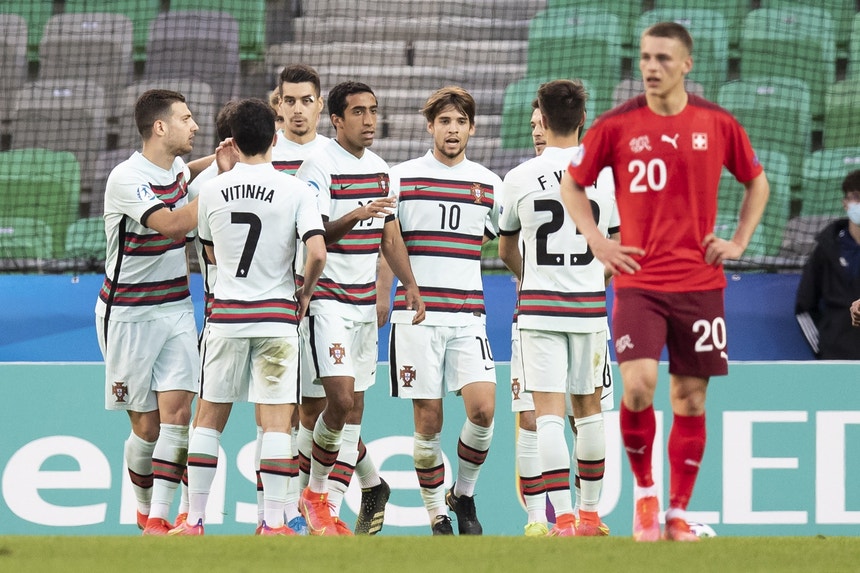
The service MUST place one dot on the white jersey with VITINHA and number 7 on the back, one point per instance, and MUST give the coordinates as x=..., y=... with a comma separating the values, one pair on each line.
x=252, y=216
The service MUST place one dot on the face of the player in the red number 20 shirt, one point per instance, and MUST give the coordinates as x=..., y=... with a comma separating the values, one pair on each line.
x=663, y=62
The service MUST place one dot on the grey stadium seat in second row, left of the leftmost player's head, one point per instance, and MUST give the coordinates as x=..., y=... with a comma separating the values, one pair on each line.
x=62, y=115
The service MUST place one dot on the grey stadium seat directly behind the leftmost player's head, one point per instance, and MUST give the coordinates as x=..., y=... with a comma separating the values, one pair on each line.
x=200, y=100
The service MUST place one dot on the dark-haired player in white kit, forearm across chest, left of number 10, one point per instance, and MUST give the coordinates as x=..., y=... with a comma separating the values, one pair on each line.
x=355, y=200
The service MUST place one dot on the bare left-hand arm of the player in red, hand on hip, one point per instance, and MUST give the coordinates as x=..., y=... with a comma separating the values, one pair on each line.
x=616, y=258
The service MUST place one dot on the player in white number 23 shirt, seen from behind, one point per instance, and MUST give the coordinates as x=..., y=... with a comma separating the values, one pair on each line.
x=561, y=307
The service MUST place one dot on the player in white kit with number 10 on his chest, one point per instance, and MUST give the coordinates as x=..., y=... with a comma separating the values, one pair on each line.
x=448, y=208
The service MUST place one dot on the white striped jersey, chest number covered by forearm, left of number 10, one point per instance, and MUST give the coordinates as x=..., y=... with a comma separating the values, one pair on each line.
x=344, y=182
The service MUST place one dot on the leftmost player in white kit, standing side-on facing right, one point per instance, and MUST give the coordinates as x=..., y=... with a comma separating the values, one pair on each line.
x=144, y=315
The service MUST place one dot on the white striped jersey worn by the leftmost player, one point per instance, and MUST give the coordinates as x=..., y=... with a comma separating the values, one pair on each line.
x=146, y=274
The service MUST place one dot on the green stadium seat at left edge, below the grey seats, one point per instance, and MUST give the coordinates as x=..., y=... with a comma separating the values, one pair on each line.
x=41, y=185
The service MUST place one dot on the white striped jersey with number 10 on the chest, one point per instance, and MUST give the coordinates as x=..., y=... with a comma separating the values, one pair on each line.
x=444, y=214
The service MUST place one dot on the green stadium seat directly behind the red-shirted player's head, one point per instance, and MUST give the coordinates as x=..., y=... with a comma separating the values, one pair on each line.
x=711, y=42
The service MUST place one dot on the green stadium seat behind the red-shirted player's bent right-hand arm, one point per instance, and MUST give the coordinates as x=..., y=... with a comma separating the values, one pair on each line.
x=767, y=239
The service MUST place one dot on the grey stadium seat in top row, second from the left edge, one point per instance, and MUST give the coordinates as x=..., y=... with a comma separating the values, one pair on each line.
x=97, y=46
